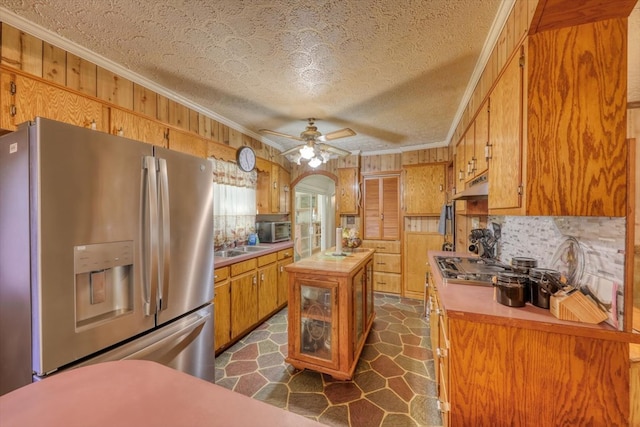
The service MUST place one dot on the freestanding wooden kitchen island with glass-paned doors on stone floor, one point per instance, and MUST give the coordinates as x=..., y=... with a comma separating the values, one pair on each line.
x=330, y=310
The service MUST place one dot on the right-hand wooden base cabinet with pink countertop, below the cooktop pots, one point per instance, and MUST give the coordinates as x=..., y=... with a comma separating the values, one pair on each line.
x=504, y=366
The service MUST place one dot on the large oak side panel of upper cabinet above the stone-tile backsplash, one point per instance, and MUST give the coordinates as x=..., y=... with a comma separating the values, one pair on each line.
x=567, y=124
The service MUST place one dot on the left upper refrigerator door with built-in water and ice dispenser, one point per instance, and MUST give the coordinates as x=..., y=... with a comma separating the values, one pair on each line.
x=87, y=264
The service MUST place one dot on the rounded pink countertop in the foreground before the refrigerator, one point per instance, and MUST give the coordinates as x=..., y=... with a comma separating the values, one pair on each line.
x=136, y=393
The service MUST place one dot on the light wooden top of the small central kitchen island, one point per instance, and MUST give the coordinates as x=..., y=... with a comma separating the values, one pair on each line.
x=331, y=264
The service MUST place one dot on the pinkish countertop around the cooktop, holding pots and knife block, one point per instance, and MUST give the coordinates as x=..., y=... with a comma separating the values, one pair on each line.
x=477, y=303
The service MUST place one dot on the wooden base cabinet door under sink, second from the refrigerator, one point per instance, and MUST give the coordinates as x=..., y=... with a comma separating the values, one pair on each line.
x=244, y=302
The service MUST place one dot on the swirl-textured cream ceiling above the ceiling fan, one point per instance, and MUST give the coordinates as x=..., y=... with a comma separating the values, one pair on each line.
x=398, y=72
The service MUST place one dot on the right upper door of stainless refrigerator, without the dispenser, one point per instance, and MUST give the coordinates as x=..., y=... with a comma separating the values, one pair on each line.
x=185, y=193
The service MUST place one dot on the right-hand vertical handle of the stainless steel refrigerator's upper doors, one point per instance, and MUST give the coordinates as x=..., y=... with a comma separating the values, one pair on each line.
x=165, y=246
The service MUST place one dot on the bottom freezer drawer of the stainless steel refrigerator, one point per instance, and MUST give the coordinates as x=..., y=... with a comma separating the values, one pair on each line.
x=185, y=344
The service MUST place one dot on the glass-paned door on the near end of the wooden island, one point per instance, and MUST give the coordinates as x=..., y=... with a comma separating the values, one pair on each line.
x=317, y=320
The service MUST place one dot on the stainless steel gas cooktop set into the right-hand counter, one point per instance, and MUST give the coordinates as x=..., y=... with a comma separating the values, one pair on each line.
x=469, y=270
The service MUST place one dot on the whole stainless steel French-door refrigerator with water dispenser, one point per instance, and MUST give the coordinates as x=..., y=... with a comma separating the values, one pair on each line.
x=106, y=253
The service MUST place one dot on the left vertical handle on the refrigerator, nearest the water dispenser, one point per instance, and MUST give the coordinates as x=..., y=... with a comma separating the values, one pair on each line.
x=150, y=245
